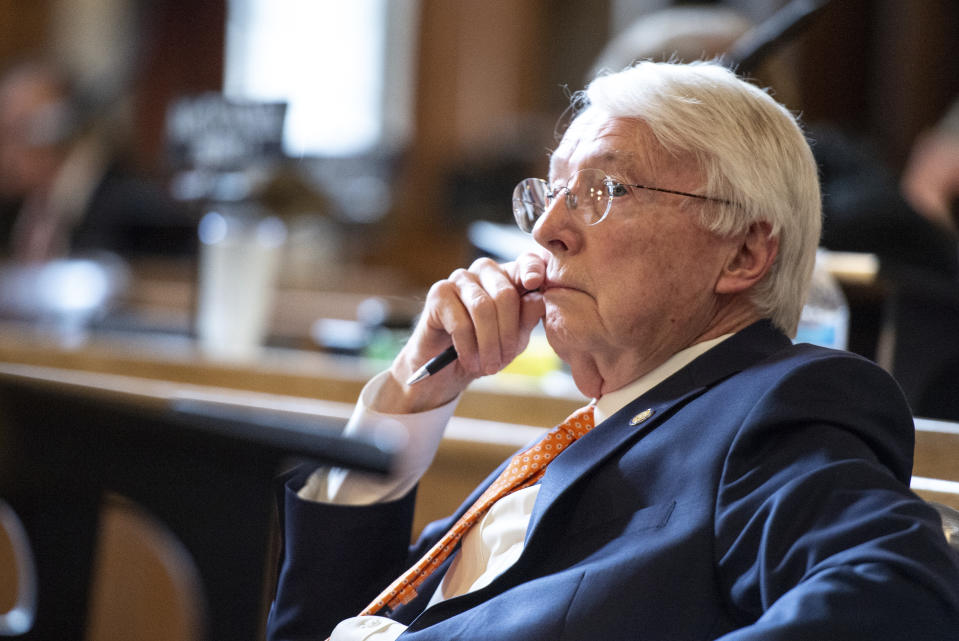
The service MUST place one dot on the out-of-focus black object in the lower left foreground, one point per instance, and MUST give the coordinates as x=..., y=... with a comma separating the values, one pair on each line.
x=205, y=470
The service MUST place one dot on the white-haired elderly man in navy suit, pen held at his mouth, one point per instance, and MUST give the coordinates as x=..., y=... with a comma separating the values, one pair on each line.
x=723, y=484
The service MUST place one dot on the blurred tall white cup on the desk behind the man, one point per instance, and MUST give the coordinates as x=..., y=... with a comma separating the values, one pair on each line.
x=240, y=251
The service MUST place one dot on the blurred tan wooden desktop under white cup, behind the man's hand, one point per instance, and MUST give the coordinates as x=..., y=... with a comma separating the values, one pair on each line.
x=177, y=362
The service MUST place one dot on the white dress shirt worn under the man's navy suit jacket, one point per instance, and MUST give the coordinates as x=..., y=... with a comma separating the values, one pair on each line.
x=496, y=541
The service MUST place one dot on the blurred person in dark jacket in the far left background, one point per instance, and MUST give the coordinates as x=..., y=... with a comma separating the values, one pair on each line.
x=65, y=189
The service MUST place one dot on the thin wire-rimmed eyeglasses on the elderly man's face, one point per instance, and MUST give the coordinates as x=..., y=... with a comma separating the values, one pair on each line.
x=589, y=194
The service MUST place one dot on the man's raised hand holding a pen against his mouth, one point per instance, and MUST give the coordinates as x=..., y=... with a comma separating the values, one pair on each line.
x=487, y=312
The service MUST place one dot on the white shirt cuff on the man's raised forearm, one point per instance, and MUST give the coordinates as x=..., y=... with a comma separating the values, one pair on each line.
x=415, y=436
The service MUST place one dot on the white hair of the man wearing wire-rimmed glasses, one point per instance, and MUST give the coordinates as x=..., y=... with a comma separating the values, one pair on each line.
x=751, y=152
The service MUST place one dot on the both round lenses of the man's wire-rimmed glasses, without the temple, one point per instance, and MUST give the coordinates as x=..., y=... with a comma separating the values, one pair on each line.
x=586, y=193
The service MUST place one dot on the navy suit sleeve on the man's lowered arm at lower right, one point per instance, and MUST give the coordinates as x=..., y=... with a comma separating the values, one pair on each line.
x=816, y=536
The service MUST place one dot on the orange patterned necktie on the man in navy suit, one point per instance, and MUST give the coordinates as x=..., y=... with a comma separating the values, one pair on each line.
x=526, y=469
